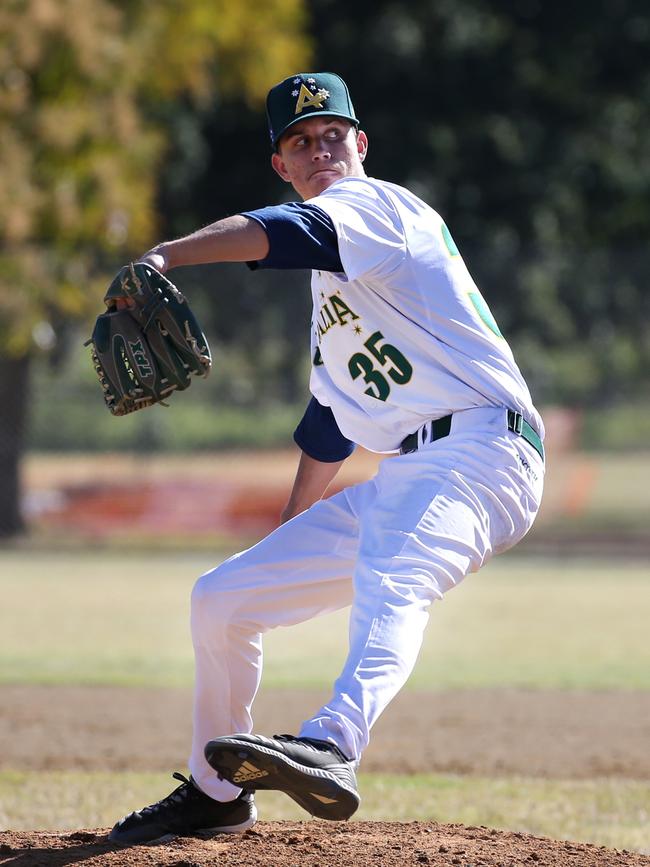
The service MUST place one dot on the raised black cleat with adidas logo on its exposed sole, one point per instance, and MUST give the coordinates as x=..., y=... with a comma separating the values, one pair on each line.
x=314, y=773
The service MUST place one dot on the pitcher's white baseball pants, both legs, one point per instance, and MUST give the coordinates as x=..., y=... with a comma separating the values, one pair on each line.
x=388, y=547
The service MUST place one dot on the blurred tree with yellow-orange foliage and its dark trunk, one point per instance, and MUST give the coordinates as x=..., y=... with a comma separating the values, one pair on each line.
x=84, y=87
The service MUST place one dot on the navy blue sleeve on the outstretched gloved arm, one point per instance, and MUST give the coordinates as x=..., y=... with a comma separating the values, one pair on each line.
x=300, y=236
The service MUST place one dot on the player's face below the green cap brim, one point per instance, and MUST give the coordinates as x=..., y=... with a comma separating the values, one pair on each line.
x=315, y=152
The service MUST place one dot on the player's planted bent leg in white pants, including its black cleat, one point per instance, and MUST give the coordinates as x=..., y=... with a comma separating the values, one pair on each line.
x=302, y=569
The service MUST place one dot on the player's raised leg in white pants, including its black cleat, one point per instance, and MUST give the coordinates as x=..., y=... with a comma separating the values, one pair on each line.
x=433, y=517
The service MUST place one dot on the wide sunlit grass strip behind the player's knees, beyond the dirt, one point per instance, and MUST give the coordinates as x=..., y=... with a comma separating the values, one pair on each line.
x=102, y=618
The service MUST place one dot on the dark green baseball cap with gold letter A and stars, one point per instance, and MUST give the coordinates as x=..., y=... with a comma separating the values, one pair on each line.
x=303, y=95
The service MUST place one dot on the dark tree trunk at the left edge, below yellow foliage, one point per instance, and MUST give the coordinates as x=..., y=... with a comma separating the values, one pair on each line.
x=14, y=379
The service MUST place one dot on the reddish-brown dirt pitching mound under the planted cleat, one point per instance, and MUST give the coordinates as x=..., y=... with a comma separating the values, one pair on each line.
x=312, y=844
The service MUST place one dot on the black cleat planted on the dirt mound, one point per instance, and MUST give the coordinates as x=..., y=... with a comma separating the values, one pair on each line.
x=184, y=812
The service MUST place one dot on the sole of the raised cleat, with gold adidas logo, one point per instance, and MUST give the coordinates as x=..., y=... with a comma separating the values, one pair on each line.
x=254, y=767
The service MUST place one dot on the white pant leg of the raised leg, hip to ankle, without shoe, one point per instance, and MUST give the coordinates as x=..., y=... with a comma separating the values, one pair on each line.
x=439, y=514
